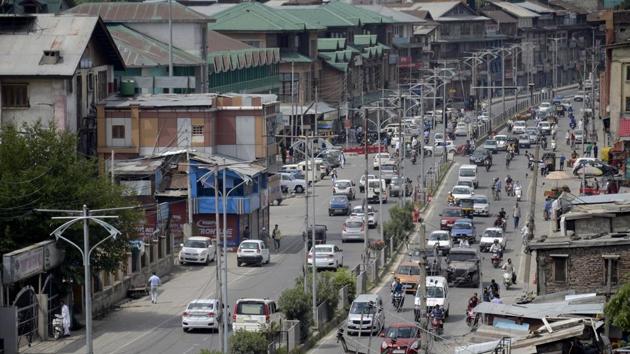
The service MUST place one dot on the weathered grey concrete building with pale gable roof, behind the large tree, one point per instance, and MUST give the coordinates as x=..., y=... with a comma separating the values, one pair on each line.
x=54, y=69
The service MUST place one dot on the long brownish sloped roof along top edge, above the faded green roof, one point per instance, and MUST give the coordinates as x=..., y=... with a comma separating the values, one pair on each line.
x=139, y=12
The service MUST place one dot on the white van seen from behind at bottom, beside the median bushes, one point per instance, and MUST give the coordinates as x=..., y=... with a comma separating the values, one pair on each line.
x=254, y=315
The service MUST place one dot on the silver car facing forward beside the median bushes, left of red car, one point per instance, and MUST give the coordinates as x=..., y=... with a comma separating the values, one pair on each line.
x=369, y=309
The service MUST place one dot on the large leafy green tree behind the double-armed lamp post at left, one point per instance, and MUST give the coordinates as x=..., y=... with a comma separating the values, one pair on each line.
x=40, y=169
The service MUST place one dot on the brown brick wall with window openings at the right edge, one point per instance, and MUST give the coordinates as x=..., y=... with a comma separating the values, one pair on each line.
x=585, y=268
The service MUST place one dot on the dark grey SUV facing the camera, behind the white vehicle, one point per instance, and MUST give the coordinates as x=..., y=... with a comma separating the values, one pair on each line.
x=463, y=267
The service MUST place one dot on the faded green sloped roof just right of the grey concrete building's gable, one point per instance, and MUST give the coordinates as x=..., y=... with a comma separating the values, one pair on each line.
x=140, y=50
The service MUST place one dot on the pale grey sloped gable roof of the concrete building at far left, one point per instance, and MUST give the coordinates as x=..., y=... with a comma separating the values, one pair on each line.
x=21, y=50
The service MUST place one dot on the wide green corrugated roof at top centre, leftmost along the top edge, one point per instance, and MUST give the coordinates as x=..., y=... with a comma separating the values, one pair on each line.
x=256, y=17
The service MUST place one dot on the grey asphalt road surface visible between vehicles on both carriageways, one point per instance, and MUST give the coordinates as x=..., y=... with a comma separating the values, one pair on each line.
x=141, y=327
